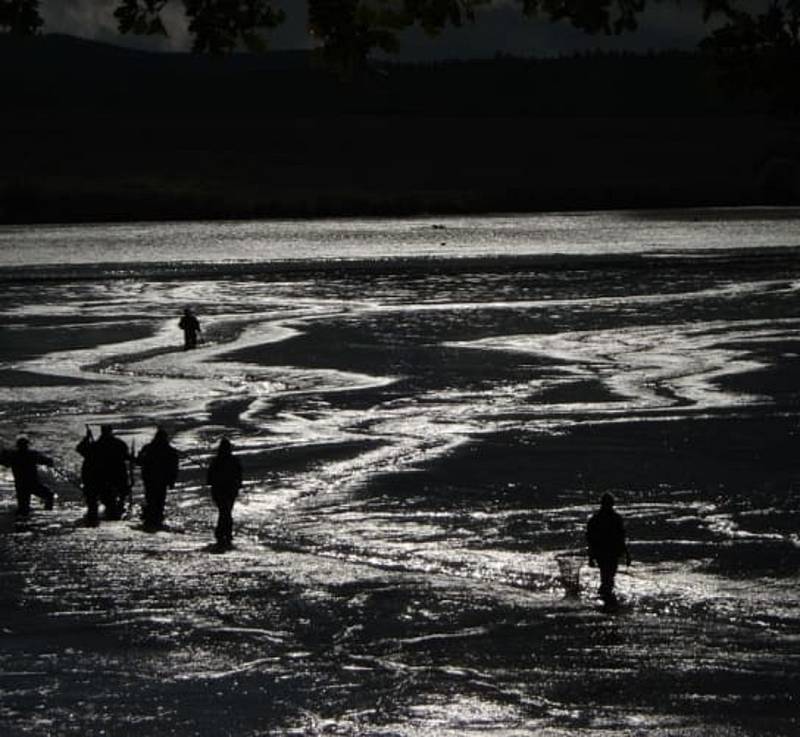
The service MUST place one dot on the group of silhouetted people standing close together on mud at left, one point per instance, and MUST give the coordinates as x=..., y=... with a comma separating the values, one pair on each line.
x=107, y=478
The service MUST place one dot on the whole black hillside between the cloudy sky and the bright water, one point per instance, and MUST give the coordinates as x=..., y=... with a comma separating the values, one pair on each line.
x=101, y=133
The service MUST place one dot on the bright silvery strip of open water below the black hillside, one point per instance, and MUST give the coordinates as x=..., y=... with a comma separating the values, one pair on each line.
x=386, y=238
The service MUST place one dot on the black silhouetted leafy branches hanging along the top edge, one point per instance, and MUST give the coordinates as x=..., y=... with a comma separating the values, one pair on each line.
x=758, y=44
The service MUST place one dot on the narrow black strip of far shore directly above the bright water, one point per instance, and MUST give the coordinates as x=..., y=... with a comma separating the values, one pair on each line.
x=75, y=203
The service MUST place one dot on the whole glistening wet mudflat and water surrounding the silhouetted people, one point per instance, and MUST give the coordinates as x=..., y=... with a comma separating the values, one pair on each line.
x=422, y=438
